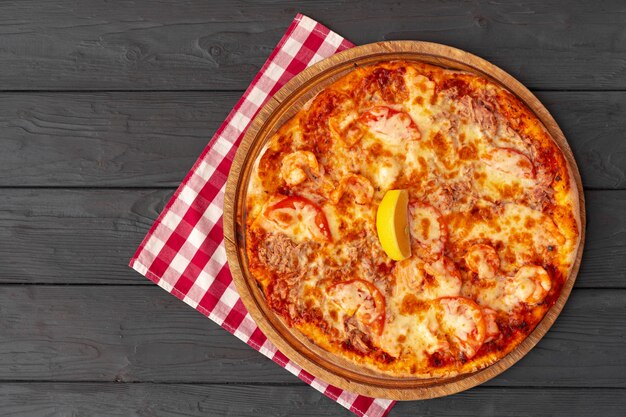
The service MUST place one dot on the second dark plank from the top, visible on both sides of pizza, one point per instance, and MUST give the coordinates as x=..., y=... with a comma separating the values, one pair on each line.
x=152, y=139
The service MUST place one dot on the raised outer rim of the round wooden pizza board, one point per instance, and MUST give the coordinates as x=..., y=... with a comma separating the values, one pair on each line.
x=455, y=384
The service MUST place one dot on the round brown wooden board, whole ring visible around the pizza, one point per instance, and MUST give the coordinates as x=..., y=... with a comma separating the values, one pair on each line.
x=282, y=107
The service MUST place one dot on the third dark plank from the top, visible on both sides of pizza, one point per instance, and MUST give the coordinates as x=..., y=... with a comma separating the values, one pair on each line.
x=88, y=236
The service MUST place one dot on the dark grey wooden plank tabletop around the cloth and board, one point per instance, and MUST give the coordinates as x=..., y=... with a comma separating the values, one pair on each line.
x=105, y=106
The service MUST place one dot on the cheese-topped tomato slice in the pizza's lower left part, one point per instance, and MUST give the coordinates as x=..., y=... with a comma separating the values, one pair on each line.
x=362, y=300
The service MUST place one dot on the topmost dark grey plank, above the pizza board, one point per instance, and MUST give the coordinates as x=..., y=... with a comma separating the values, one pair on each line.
x=221, y=44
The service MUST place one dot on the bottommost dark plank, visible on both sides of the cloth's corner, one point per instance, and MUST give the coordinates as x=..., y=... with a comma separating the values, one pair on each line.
x=128, y=400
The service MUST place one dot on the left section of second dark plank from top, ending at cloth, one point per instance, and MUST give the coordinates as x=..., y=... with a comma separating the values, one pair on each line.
x=105, y=139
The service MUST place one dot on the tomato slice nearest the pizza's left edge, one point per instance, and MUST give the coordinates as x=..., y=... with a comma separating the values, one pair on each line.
x=294, y=210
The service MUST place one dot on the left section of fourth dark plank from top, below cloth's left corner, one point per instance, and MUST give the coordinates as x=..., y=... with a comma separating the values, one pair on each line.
x=121, y=334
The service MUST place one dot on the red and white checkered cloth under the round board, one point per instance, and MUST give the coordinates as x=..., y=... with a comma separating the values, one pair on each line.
x=184, y=251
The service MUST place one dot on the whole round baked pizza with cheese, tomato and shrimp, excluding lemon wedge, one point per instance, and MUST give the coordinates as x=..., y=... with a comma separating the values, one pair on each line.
x=493, y=223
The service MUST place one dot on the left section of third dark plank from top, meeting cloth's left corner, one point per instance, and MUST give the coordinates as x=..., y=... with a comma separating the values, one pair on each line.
x=75, y=236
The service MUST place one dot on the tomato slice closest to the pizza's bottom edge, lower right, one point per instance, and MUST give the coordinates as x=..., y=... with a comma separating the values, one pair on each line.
x=462, y=320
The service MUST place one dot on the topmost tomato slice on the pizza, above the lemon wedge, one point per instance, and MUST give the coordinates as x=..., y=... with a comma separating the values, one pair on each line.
x=389, y=125
